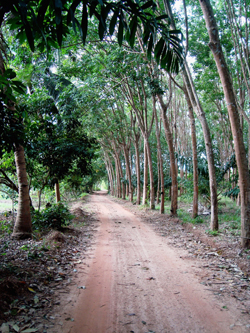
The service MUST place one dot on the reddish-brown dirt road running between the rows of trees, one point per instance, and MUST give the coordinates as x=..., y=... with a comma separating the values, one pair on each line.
x=134, y=282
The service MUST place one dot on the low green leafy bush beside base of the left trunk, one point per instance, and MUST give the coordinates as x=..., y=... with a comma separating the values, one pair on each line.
x=53, y=217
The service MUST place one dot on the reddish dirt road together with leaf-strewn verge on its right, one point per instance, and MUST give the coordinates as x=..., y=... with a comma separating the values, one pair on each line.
x=149, y=273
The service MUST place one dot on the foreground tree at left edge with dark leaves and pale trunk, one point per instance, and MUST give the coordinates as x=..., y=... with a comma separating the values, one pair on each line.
x=10, y=122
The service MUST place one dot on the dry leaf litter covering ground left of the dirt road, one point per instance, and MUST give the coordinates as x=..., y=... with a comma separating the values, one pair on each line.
x=31, y=271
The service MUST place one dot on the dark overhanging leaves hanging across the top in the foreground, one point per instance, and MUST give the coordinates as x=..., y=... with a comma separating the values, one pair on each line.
x=48, y=22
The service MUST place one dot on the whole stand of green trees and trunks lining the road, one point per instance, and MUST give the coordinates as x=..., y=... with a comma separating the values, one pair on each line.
x=148, y=99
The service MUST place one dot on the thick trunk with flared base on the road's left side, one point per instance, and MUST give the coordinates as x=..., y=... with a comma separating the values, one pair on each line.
x=23, y=226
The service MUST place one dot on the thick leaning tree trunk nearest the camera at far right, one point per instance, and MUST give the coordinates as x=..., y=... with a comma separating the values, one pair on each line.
x=240, y=152
